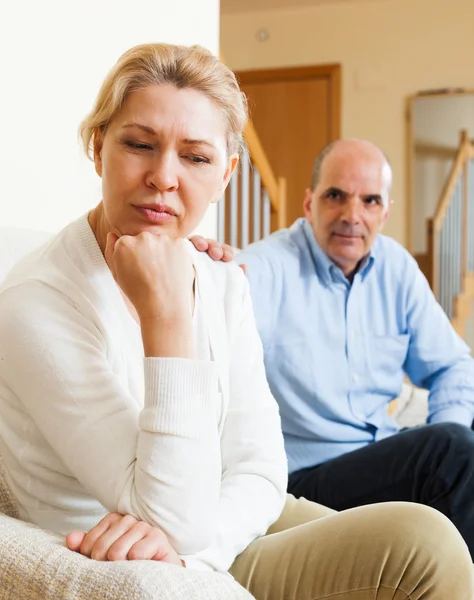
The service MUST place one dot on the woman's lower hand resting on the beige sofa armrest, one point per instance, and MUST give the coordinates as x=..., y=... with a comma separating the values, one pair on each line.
x=119, y=537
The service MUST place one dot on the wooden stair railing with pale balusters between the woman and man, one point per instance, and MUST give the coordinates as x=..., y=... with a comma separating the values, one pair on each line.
x=254, y=204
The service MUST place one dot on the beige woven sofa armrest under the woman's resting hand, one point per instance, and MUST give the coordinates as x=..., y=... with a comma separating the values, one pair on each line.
x=36, y=564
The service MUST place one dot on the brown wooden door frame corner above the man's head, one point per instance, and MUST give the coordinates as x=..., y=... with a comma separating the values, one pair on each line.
x=332, y=72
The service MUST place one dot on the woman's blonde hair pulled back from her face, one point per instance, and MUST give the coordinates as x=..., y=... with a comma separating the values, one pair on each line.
x=182, y=66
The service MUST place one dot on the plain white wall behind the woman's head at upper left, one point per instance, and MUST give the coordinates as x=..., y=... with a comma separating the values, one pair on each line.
x=54, y=55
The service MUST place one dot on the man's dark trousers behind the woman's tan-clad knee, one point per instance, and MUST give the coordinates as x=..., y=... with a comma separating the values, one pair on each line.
x=432, y=465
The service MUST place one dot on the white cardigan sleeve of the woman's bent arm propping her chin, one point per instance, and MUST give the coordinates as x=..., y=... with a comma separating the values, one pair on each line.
x=161, y=464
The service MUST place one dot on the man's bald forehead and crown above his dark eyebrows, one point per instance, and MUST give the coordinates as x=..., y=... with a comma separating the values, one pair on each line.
x=356, y=174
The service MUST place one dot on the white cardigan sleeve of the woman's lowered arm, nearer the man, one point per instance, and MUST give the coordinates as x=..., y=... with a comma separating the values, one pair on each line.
x=255, y=472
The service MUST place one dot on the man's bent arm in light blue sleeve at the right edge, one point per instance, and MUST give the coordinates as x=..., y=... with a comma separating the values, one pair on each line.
x=438, y=359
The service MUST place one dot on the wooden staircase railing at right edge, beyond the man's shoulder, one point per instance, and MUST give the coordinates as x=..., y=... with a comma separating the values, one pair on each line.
x=449, y=264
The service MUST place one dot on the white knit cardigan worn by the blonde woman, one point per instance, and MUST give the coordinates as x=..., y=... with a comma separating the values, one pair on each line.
x=88, y=425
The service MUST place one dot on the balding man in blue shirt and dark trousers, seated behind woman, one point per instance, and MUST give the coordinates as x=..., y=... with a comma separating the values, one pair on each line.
x=344, y=313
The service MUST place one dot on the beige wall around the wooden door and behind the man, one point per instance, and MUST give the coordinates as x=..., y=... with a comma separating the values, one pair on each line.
x=388, y=49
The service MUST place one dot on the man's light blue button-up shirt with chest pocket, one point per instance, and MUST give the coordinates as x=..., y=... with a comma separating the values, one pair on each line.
x=336, y=352
